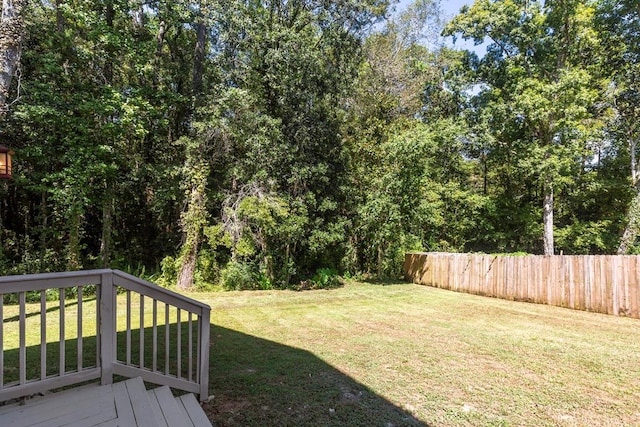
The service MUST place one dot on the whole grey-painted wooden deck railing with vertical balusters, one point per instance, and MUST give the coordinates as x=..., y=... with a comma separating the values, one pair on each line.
x=140, y=330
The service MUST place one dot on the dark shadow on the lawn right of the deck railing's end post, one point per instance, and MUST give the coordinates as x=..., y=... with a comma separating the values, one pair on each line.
x=257, y=382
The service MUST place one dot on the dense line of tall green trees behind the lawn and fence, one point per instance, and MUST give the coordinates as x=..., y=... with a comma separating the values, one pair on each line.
x=273, y=143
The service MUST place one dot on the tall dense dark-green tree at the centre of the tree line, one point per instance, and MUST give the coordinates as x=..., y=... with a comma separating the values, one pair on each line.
x=294, y=63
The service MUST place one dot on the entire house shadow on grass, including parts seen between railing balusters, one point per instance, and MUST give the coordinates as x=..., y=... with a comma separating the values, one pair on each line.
x=256, y=382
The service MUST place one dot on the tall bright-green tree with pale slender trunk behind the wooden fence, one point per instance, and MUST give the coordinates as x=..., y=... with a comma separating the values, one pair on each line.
x=538, y=87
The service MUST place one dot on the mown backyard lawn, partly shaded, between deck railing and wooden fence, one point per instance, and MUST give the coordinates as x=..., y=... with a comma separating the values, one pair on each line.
x=405, y=354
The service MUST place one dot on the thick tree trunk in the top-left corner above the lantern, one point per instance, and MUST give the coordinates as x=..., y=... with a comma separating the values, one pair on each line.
x=11, y=35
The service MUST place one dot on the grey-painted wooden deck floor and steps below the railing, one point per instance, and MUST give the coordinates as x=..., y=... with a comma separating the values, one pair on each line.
x=124, y=404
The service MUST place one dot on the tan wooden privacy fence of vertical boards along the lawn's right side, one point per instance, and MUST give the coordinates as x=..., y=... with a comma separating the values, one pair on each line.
x=600, y=283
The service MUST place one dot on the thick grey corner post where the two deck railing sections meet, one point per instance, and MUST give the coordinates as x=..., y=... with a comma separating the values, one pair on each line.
x=107, y=327
